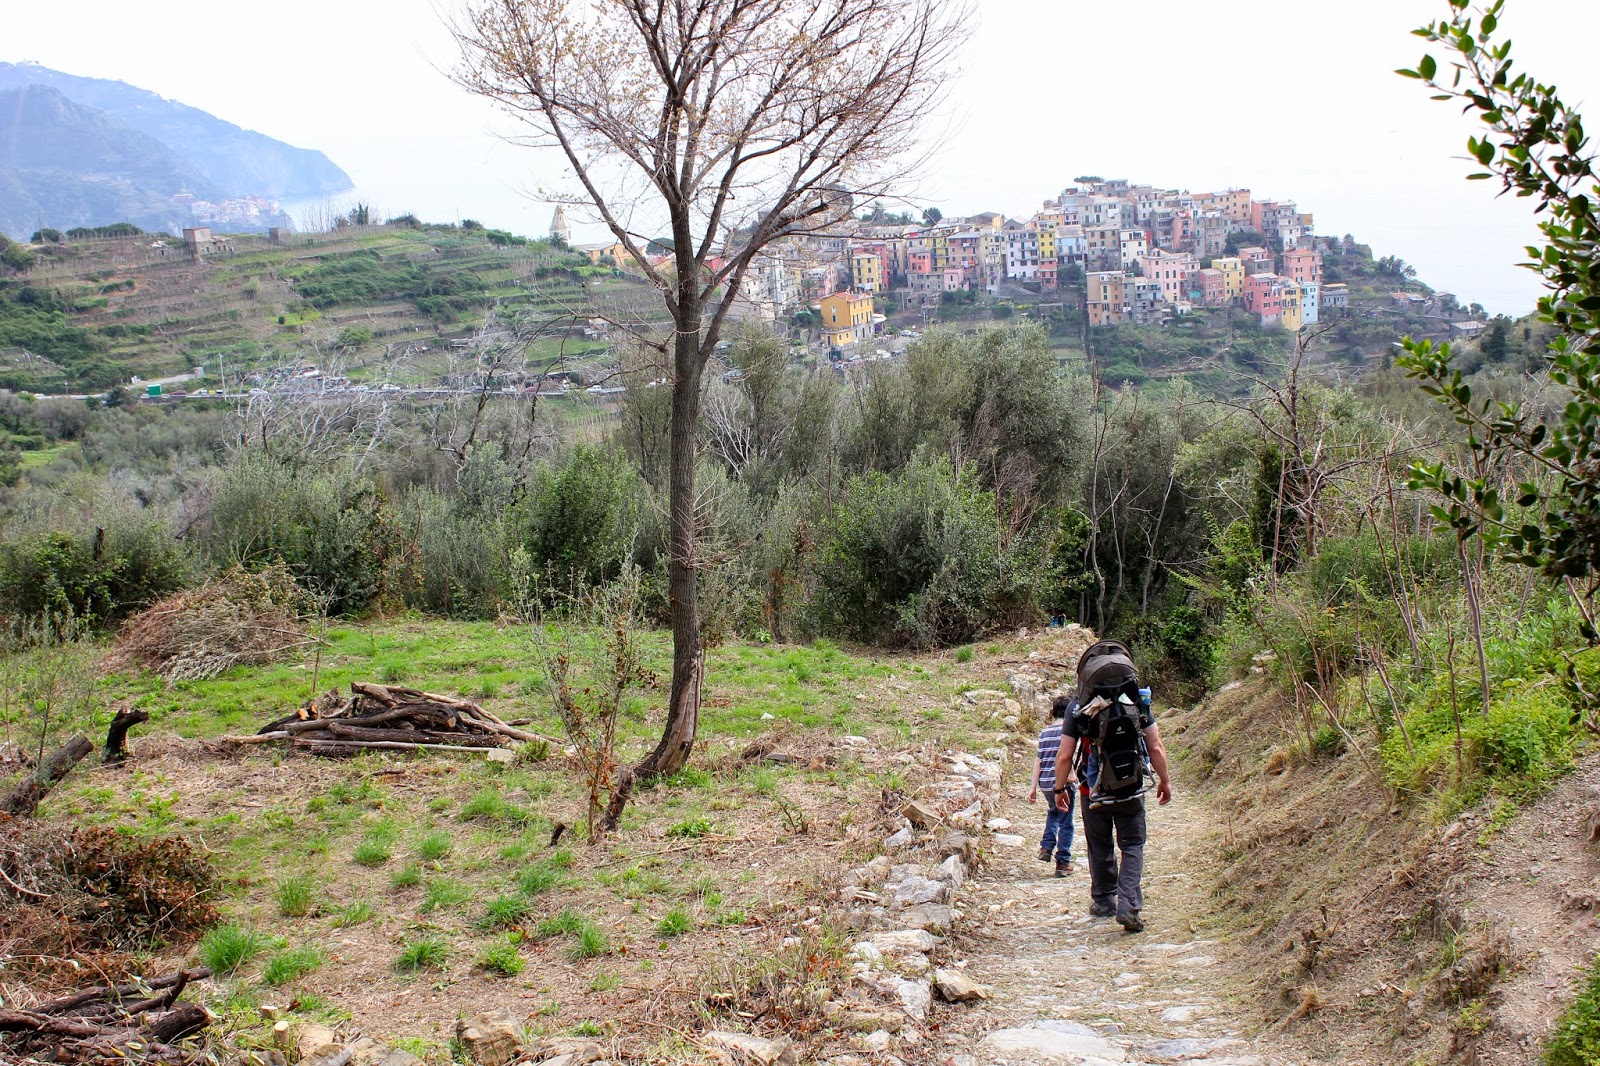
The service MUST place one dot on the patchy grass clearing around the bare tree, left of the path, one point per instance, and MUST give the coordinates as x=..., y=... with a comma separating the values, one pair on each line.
x=406, y=891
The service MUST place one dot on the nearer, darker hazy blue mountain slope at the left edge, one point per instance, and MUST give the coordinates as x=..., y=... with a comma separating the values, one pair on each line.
x=68, y=166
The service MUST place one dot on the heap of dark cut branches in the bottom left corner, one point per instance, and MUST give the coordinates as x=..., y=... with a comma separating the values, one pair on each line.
x=110, y=1025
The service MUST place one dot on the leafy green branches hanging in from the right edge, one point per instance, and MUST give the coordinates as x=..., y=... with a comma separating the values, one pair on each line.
x=1535, y=146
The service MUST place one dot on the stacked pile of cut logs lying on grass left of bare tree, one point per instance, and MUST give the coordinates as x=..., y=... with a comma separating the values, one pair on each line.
x=390, y=719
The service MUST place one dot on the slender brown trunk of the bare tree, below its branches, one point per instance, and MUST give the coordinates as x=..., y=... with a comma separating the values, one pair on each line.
x=678, y=737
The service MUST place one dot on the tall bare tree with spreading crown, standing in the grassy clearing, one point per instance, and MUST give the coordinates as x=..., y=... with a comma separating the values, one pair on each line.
x=732, y=126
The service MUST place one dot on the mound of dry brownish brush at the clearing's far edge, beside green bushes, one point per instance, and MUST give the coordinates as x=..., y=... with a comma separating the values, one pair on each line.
x=239, y=619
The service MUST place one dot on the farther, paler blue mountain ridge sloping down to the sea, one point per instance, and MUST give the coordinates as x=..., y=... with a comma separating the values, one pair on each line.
x=238, y=162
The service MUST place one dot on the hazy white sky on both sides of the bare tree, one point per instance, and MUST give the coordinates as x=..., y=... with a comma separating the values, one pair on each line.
x=1290, y=98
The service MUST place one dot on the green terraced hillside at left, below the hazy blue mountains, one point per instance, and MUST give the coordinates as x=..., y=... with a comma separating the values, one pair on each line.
x=94, y=315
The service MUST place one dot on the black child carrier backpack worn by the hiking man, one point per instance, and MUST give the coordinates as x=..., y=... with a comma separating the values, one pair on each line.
x=1110, y=697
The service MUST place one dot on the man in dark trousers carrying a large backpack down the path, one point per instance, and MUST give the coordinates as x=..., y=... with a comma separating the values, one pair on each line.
x=1108, y=751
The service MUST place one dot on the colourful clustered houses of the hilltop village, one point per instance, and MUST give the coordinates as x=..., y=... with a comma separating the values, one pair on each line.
x=1122, y=252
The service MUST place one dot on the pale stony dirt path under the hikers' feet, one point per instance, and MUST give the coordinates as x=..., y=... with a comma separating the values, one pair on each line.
x=1074, y=990
